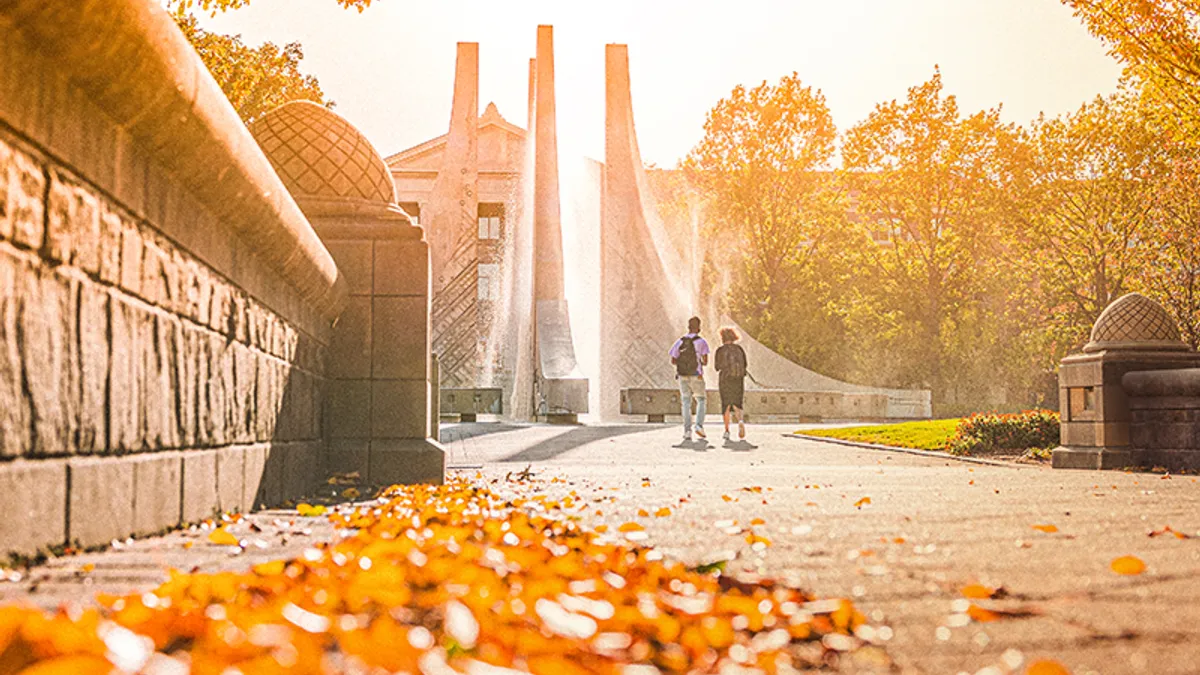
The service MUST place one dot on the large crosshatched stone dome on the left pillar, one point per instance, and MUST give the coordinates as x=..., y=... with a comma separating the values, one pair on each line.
x=321, y=156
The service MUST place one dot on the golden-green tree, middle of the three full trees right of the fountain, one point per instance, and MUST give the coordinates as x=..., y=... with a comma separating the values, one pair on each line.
x=928, y=186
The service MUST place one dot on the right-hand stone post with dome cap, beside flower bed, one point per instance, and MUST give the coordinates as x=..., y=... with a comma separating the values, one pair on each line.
x=1132, y=334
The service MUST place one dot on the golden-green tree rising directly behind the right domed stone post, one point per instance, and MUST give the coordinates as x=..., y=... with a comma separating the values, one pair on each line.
x=1087, y=211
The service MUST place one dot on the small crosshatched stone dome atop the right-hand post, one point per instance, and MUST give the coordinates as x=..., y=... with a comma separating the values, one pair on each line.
x=1135, y=322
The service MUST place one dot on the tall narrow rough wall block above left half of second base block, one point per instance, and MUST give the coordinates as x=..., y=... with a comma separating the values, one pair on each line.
x=94, y=351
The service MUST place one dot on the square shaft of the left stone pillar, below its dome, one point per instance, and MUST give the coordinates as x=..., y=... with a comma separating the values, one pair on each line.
x=380, y=417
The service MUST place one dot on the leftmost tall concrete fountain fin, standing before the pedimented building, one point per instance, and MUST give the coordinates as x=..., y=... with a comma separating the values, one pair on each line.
x=453, y=231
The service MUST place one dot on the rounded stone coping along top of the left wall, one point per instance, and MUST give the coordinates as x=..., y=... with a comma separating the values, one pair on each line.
x=135, y=64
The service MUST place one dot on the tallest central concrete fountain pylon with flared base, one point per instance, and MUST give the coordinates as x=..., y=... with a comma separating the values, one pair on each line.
x=562, y=391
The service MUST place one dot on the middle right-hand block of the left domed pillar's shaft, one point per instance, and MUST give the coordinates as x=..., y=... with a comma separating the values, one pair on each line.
x=401, y=338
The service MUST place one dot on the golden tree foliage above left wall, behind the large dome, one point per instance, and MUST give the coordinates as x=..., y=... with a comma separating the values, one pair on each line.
x=256, y=80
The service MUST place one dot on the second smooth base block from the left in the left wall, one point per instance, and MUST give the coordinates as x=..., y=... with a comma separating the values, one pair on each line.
x=101, y=500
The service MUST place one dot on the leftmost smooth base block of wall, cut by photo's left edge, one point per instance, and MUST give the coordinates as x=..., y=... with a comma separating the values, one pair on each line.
x=34, y=503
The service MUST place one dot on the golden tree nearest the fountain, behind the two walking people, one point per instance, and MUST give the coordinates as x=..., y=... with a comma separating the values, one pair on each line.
x=770, y=200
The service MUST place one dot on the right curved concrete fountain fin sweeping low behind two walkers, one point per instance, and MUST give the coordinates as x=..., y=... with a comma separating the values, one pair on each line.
x=645, y=301
